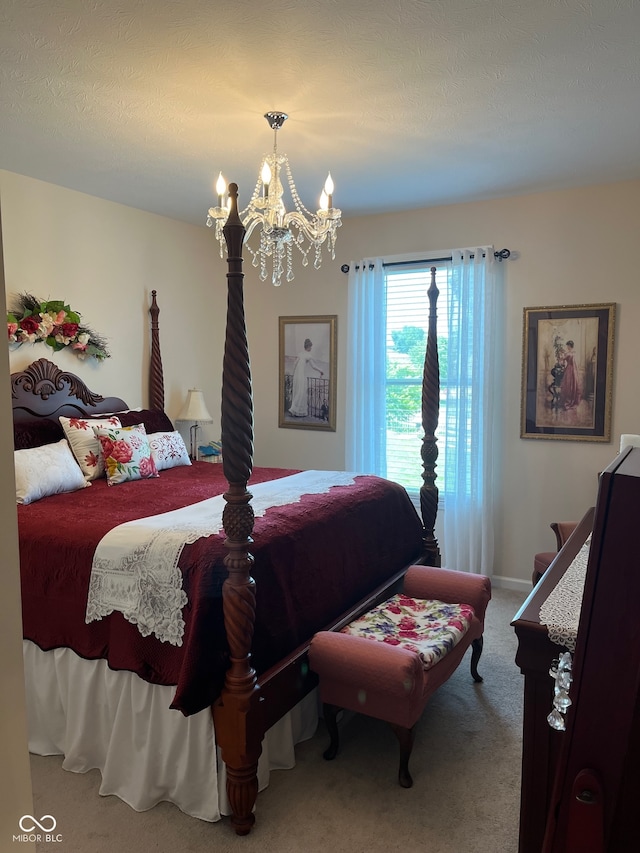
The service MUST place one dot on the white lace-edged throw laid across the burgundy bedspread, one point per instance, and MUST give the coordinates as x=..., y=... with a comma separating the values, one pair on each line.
x=135, y=566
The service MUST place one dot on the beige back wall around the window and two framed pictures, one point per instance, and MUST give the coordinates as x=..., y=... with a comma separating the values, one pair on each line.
x=570, y=247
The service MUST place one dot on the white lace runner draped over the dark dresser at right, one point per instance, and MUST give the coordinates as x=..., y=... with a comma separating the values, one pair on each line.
x=561, y=611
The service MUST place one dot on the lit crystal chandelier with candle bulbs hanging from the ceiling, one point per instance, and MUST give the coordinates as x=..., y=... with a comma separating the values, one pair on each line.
x=280, y=231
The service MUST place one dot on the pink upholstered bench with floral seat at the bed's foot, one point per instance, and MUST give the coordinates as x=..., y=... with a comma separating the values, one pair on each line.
x=388, y=663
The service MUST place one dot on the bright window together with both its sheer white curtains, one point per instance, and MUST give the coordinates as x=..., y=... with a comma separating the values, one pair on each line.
x=388, y=322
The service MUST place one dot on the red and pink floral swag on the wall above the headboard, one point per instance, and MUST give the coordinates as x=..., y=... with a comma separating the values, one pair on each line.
x=32, y=321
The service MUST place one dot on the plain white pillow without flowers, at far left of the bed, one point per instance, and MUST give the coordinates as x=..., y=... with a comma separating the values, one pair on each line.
x=47, y=470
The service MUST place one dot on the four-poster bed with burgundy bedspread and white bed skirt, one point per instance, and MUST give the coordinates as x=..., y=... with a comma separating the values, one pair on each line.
x=321, y=551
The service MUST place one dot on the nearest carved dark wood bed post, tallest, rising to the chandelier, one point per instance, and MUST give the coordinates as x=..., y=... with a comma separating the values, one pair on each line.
x=238, y=732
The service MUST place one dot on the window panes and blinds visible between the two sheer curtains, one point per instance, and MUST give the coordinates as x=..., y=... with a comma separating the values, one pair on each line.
x=407, y=313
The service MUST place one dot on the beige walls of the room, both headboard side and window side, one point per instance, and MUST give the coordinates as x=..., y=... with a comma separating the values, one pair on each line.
x=569, y=247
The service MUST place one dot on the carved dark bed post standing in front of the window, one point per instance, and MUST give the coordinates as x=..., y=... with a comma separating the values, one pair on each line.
x=430, y=411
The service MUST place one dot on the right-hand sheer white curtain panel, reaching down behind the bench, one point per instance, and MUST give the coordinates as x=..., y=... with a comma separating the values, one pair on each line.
x=472, y=412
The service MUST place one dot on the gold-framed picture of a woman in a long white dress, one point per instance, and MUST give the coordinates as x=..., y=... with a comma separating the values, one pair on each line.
x=307, y=372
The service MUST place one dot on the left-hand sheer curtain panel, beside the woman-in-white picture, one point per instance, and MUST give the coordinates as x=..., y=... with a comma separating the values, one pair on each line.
x=365, y=440
